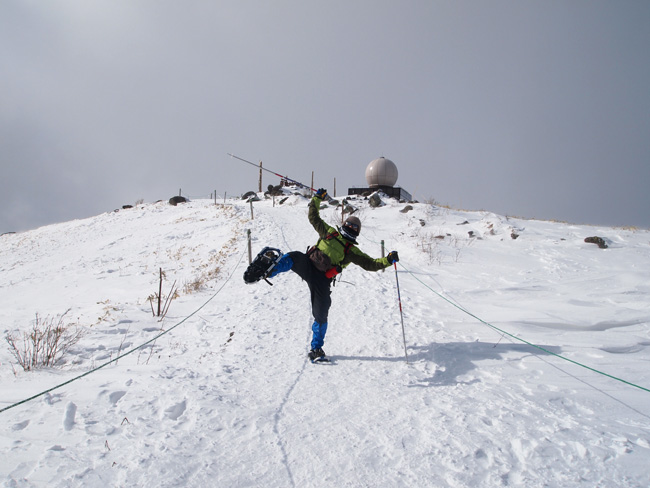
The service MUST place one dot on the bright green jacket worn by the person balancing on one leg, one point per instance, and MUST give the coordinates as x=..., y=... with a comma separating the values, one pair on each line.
x=333, y=244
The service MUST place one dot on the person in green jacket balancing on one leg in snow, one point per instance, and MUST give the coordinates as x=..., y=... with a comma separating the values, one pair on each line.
x=336, y=249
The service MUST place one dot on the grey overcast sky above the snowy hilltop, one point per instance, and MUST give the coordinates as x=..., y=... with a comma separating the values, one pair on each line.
x=537, y=109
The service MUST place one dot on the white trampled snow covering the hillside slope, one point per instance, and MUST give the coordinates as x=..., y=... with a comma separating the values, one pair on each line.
x=220, y=393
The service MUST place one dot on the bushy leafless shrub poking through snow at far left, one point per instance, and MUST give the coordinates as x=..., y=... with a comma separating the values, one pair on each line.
x=45, y=344
